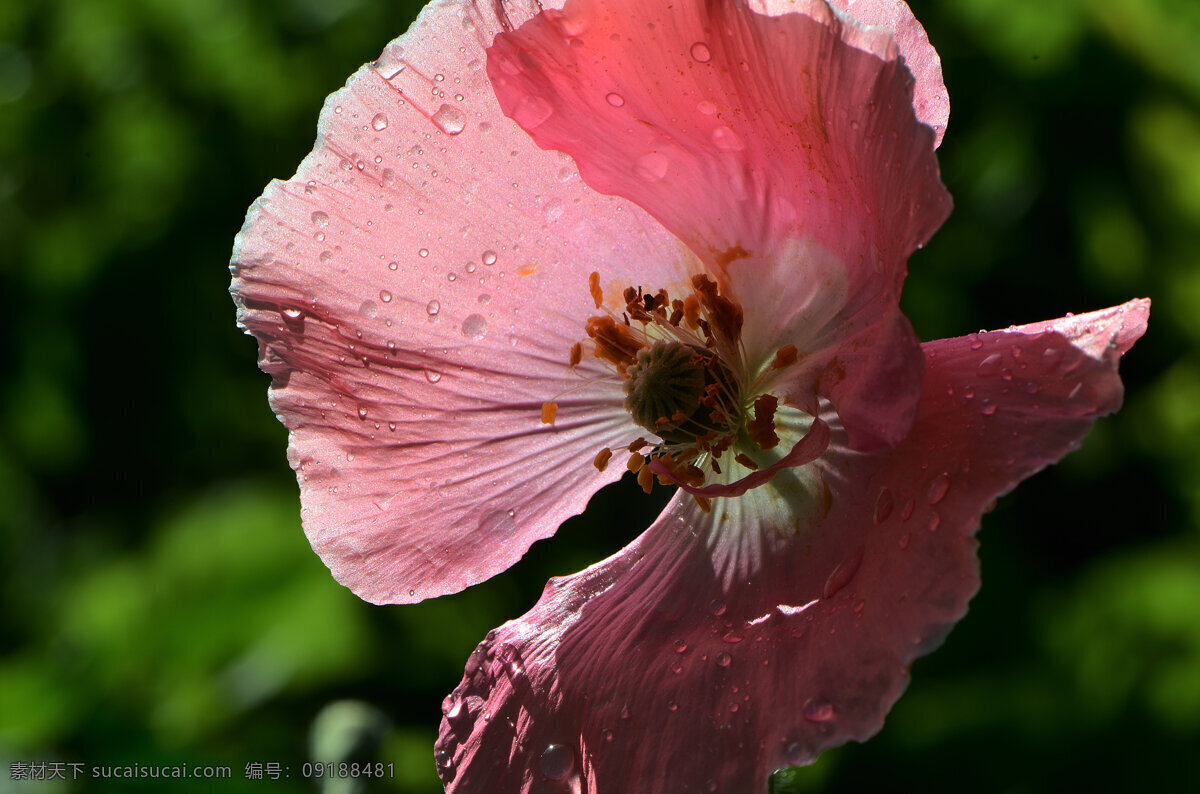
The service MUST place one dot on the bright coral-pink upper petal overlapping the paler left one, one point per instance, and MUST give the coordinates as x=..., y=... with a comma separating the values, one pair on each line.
x=783, y=151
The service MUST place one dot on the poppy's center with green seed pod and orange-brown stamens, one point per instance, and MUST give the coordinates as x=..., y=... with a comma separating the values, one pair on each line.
x=686, y=380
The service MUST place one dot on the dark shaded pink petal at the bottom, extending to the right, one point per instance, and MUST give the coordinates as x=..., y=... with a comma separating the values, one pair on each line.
x=650, y=673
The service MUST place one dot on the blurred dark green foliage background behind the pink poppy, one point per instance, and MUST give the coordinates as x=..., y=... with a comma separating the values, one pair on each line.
x=161, y=605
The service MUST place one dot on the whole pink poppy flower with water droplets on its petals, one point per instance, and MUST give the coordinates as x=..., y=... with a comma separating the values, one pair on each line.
x=538, y=246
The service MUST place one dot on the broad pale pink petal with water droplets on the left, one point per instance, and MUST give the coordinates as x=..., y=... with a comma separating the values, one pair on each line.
x=416, y=291
